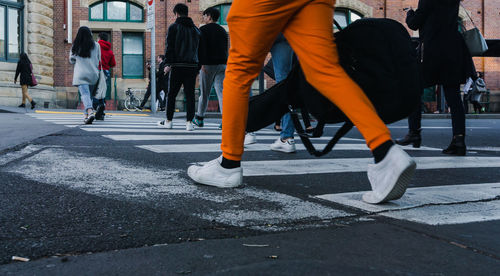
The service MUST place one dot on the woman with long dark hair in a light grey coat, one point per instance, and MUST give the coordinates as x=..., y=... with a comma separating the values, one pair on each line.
x=85, y=55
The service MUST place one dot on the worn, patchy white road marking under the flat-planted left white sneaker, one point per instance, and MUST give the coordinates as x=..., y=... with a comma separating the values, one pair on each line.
x=123, y=180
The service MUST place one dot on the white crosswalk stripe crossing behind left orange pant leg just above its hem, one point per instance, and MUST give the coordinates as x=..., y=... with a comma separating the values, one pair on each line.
x=184, y=148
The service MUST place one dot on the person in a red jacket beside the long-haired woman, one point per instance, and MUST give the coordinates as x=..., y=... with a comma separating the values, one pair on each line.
x=107, y=62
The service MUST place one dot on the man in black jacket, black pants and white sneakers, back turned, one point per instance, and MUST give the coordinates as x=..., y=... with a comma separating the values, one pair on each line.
x=181, y=63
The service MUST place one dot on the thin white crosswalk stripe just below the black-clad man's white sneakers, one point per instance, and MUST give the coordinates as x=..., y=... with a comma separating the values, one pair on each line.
x=192, y=137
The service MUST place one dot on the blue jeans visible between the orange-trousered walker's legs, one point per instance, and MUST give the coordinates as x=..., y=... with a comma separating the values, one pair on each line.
x=282, y=55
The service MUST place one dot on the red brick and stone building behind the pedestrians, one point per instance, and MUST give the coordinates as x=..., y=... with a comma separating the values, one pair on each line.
x=45, y=29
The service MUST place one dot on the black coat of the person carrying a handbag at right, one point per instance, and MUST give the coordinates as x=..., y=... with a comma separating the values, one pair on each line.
x=446, y=58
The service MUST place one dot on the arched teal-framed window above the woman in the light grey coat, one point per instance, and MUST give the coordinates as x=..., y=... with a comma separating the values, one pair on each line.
x=121, y=11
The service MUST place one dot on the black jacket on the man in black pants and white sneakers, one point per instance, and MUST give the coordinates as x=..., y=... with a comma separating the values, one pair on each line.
x=183, y=39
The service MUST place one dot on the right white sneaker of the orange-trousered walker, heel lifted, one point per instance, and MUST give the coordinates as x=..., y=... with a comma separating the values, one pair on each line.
x=390, y=177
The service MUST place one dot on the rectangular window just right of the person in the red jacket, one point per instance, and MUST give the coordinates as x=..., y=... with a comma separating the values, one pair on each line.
x=133, y=55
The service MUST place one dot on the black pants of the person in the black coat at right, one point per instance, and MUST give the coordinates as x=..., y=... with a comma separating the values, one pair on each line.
x=452, y=96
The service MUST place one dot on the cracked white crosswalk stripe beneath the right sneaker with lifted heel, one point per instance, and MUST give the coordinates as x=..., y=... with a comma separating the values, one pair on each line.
x=435, y=205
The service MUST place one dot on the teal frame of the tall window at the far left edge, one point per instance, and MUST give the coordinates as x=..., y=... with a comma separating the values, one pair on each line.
x=19, y=6
